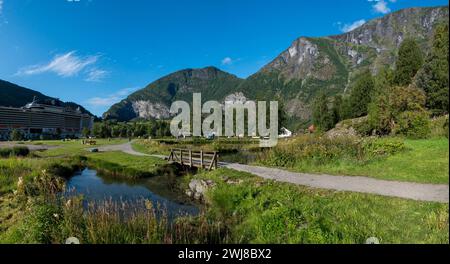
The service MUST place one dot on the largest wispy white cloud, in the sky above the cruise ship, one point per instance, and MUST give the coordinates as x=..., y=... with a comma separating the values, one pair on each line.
x=65, y=65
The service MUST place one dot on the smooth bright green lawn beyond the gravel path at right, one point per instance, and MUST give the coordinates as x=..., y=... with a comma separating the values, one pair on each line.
x=425, y=161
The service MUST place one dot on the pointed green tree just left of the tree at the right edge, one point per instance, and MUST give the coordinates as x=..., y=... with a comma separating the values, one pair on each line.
x=409, y=61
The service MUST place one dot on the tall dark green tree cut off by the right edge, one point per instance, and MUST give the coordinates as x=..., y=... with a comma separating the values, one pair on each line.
x=433, y=77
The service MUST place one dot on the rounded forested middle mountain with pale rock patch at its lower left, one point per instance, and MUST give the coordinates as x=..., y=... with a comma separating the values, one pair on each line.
x=154, y=100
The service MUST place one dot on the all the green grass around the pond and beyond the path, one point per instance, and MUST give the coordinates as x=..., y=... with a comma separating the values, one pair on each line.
x=246, y=209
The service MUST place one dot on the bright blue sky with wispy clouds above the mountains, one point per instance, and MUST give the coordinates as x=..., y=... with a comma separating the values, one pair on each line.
x=96, y=52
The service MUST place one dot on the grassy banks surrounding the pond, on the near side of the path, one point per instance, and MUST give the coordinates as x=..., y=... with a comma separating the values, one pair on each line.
x=240, y=208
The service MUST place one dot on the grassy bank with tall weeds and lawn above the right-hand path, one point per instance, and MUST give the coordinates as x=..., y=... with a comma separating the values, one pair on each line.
x=424, y=160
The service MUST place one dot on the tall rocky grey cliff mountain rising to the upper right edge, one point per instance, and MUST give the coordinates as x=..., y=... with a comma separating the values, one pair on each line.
x=330, y=64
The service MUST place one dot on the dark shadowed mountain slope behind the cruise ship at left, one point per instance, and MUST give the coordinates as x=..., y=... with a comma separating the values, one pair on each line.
x=16, y=96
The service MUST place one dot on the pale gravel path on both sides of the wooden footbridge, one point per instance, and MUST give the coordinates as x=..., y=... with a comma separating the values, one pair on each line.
x=408, y=190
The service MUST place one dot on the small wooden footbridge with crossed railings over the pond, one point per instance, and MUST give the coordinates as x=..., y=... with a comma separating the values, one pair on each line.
x=191, y=158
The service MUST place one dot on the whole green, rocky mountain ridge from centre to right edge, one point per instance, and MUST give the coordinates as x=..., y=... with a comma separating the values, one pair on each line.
x=297, y=75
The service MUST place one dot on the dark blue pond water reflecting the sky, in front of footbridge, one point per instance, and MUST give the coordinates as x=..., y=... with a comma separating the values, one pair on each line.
x=95, y=187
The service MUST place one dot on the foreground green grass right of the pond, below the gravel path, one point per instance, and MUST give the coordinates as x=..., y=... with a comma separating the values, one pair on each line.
x=259, y=211
